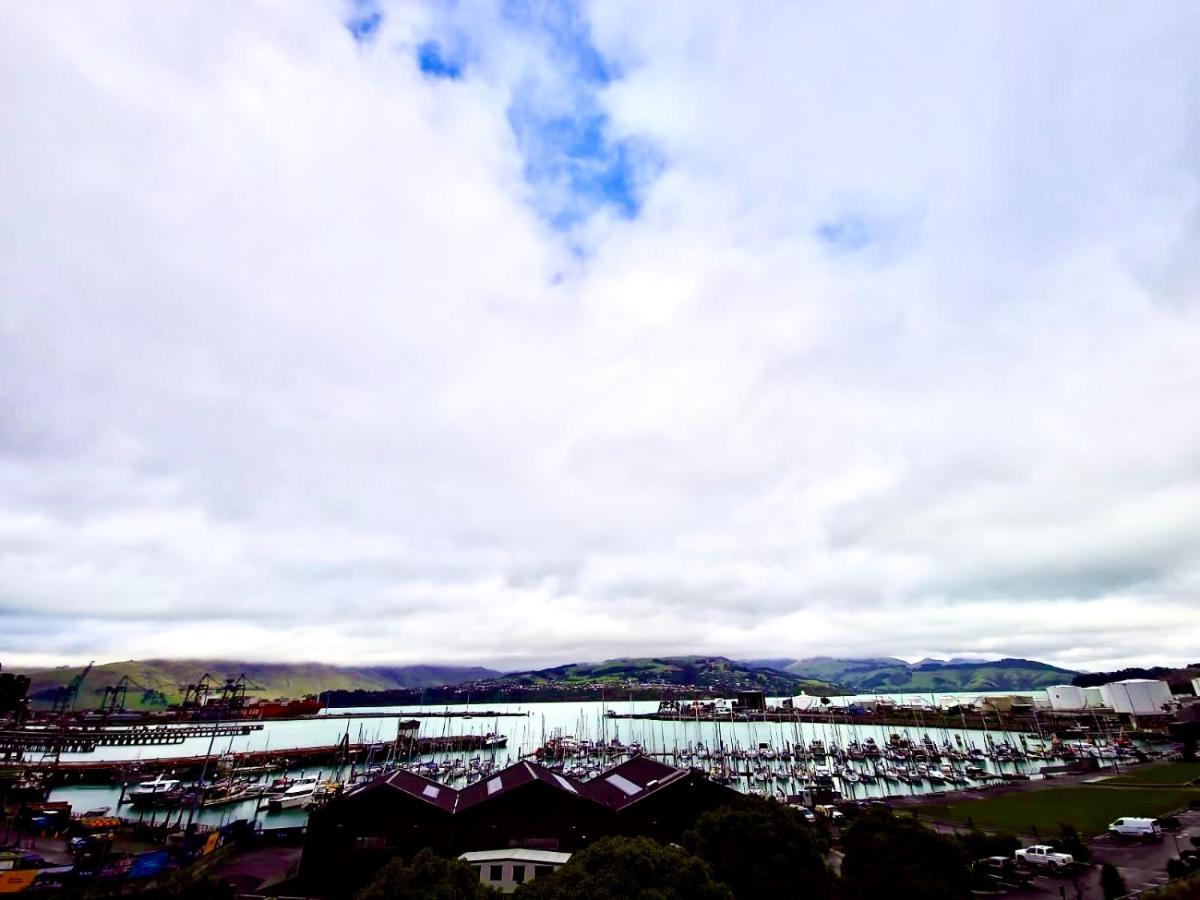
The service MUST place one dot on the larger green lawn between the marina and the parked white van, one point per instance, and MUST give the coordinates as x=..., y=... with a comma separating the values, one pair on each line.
x=1089, y=808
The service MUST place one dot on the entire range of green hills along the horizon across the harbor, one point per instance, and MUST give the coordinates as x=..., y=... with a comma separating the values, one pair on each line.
x=158, y=683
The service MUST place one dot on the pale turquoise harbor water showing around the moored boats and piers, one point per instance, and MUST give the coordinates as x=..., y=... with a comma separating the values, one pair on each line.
x=530, y=727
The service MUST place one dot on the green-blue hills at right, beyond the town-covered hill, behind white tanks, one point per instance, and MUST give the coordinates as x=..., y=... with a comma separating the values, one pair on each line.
x=889, y=675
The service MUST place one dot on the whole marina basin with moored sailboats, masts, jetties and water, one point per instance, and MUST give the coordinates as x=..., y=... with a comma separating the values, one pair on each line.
x=841, y=755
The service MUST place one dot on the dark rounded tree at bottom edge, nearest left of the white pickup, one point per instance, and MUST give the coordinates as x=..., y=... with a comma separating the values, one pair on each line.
x=886, y=856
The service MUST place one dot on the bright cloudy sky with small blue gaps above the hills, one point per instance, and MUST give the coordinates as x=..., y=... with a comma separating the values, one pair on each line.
x=519, y=334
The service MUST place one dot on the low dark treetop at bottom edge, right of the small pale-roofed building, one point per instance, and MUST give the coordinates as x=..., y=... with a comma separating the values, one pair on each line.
x=629, y=868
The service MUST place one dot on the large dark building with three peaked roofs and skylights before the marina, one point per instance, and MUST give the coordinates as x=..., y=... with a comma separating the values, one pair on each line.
x=524, y=807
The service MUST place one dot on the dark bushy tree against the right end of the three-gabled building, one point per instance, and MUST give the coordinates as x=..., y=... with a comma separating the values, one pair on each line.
x=761, y=849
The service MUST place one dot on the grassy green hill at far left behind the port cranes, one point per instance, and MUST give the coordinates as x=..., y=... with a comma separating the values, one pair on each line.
x=161, y=682
